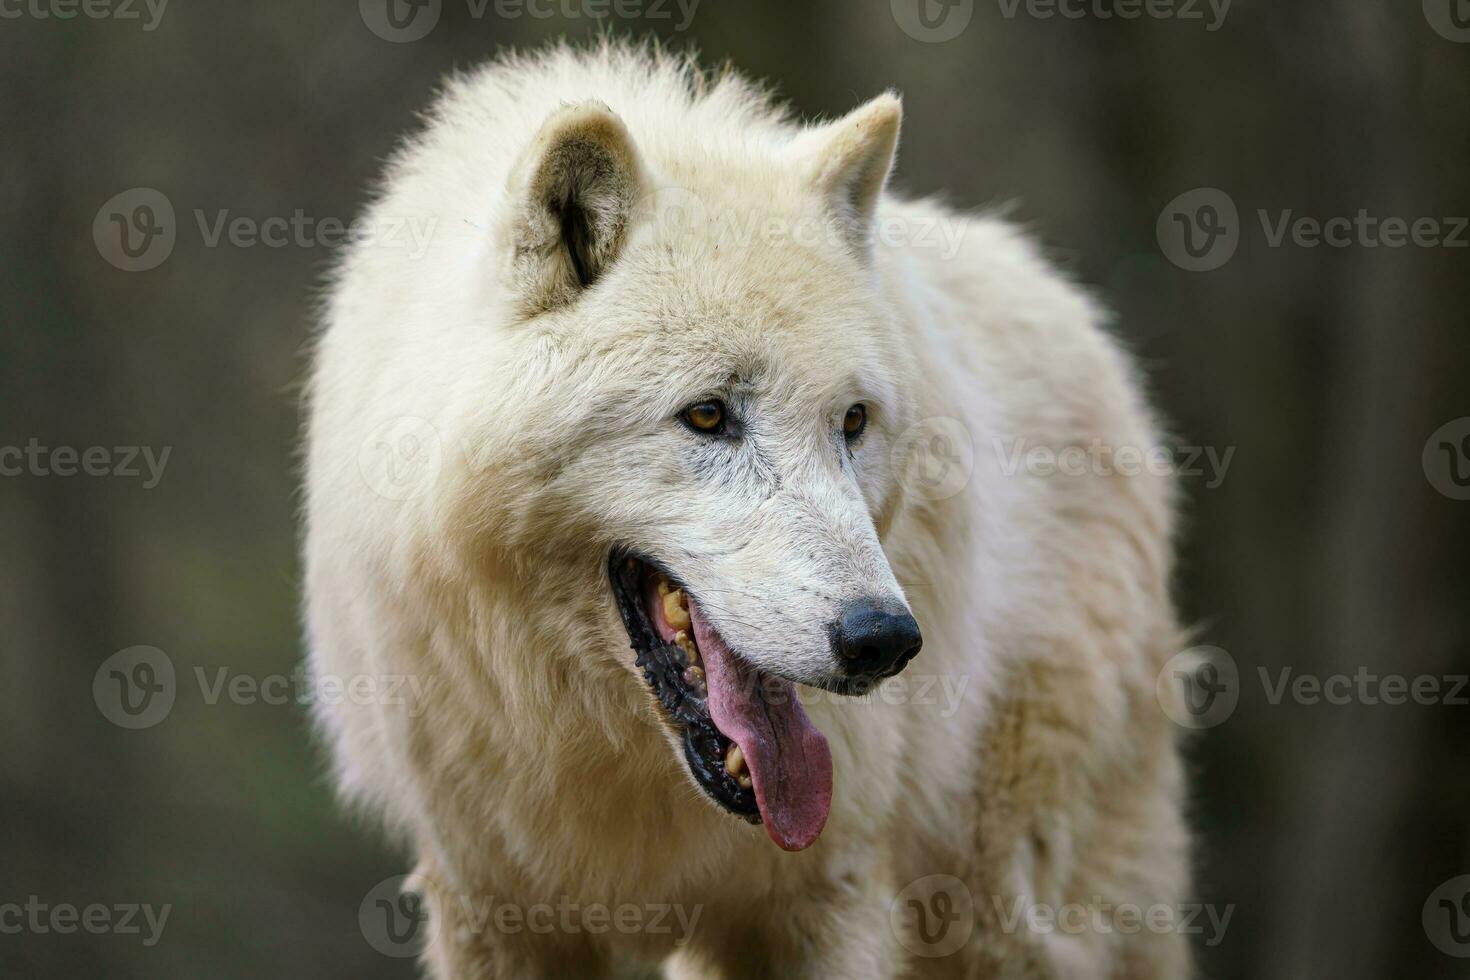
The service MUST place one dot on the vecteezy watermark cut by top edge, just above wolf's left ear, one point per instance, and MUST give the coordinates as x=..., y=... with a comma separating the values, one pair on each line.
x=406, y=21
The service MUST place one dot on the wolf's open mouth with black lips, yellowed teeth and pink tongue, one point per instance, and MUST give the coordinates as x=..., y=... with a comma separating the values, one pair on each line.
x=747, y=740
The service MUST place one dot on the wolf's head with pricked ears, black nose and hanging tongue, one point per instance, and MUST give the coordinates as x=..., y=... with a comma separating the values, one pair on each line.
x=708, y=384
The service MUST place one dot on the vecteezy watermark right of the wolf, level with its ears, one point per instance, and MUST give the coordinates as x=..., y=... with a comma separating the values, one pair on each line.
x=1200, y=230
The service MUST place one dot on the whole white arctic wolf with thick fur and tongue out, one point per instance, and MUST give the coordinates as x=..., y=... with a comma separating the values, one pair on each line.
x=690, y=474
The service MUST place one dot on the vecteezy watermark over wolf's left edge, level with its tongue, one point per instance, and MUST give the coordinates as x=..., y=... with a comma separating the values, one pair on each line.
x=137, y=688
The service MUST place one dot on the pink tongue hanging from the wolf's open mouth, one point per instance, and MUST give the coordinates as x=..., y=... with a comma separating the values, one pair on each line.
x=789, y=759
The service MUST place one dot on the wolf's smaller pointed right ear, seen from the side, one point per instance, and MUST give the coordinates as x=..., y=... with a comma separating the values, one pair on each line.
x=849, y=162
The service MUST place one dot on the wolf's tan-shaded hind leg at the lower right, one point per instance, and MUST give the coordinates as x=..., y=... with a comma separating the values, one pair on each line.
x=1081, y=816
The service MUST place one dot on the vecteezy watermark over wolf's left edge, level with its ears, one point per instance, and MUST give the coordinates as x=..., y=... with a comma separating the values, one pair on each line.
x=137, y=230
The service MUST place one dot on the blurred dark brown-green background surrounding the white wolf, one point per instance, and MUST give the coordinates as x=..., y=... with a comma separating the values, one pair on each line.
x=1337, y=375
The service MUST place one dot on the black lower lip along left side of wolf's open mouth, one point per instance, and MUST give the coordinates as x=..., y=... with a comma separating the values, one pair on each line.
x=705, y=746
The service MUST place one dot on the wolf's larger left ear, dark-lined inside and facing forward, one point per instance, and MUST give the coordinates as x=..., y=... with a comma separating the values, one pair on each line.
x=573, y=195
